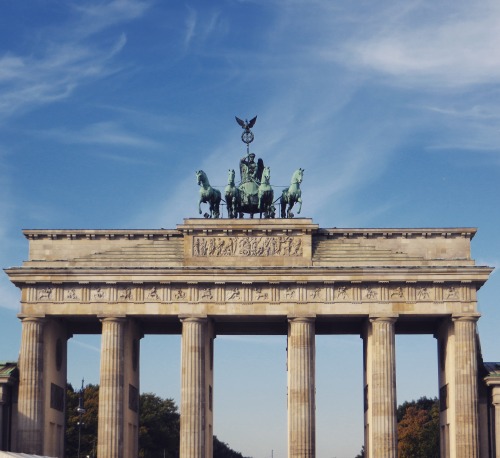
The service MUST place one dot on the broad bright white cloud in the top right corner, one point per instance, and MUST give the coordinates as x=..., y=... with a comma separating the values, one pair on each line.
x=455, y=49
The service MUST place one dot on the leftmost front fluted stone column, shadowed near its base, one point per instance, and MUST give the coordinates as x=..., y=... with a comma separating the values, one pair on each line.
x=31, y=389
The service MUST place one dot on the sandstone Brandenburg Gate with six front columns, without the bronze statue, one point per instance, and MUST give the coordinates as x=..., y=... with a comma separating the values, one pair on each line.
x=210, y=277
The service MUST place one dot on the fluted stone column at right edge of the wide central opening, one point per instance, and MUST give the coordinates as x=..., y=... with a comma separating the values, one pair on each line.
x=301, y=388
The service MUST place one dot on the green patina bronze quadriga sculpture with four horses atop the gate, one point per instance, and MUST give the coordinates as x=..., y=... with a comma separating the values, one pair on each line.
x=254, y=194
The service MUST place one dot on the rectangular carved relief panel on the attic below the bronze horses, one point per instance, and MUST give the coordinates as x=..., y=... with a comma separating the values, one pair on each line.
x=286, y=246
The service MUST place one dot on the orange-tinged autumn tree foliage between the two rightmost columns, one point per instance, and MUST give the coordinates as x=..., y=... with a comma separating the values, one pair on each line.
x=418, y=429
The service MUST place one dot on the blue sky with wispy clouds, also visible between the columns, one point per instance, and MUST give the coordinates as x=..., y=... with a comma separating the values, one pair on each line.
x=108, y=107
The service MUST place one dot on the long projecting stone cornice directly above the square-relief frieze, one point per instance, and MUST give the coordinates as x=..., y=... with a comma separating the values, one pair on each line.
x=472, y=274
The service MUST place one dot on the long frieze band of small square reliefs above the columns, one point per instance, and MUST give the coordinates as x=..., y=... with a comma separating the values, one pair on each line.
x=300, y=292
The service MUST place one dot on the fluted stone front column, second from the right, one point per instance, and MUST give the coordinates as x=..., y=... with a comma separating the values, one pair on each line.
x=381, y=384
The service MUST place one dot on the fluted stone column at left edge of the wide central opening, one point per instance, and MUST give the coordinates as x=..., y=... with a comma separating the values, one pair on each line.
x=193, y=388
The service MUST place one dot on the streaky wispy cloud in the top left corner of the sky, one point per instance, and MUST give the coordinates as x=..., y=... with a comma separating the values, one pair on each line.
x=62, y=63
